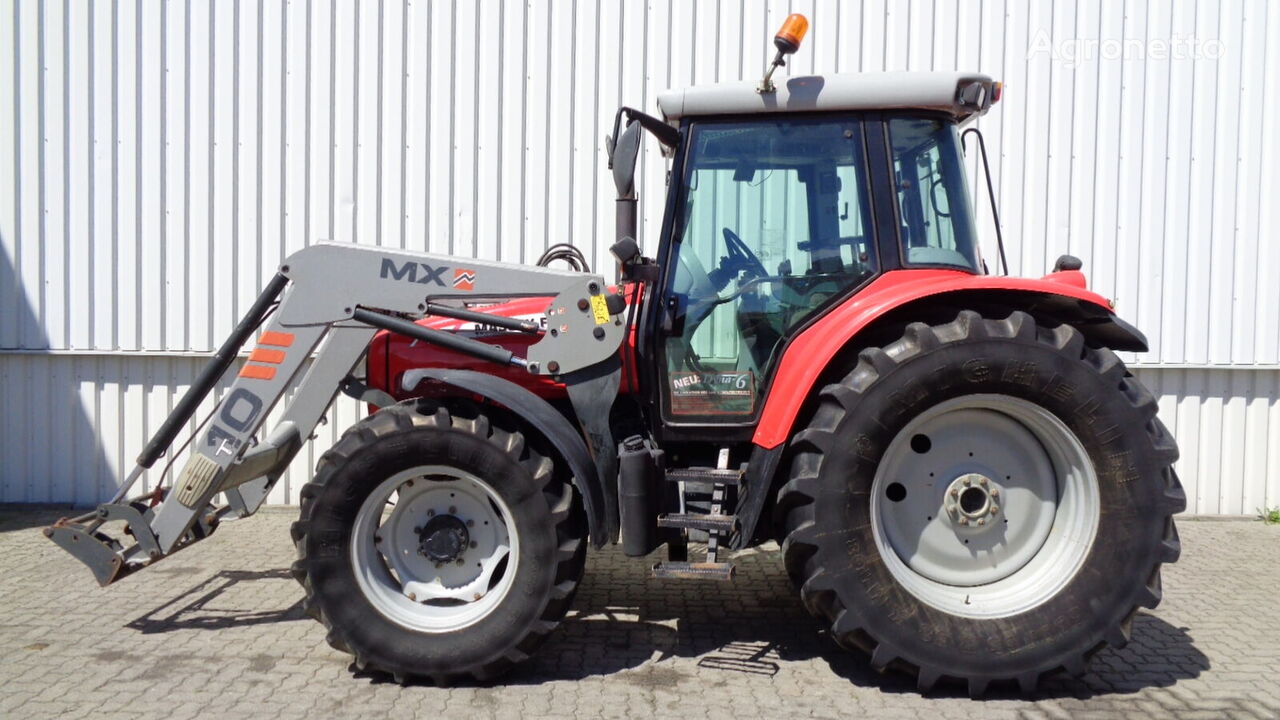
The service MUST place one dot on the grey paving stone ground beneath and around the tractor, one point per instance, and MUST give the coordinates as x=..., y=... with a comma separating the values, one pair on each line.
x=220, y=630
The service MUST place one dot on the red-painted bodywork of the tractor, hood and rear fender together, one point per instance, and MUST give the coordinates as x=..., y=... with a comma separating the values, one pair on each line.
x=802, y=363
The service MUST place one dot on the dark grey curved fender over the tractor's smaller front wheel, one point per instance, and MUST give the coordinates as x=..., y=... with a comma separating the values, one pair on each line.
x=542, y=418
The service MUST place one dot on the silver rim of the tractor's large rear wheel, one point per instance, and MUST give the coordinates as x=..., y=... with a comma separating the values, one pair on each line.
x=993, y=513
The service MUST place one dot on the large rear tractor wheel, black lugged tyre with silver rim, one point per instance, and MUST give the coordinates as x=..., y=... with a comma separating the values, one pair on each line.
x=985, y=500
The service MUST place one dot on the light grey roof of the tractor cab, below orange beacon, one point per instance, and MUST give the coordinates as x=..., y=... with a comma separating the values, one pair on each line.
x=961, y=95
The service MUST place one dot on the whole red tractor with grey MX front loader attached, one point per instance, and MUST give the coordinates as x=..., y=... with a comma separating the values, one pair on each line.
x=966, y=481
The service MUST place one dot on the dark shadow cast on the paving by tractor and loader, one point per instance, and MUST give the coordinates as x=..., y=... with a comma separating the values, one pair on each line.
x=627, y=625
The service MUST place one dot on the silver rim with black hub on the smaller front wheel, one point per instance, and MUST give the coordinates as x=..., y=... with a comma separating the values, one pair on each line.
x=397, y=540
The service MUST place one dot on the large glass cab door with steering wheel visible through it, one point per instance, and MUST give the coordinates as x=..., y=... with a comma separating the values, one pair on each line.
x=776, y=221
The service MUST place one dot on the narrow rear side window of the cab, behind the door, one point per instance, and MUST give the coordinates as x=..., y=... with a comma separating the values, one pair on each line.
x=932, y=195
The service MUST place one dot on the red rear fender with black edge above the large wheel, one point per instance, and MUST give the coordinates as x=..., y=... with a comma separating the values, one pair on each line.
x=903, y=297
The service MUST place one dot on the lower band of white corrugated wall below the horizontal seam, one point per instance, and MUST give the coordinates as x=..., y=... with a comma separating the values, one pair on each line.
x=90, y=416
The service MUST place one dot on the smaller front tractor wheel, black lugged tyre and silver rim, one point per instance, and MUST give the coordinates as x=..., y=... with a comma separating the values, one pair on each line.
x=437, y=543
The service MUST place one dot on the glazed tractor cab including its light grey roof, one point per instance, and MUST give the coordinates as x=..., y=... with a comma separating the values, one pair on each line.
x=783, y=206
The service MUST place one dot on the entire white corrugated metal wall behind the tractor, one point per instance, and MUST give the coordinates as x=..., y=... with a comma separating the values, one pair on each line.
x=162, y=158
